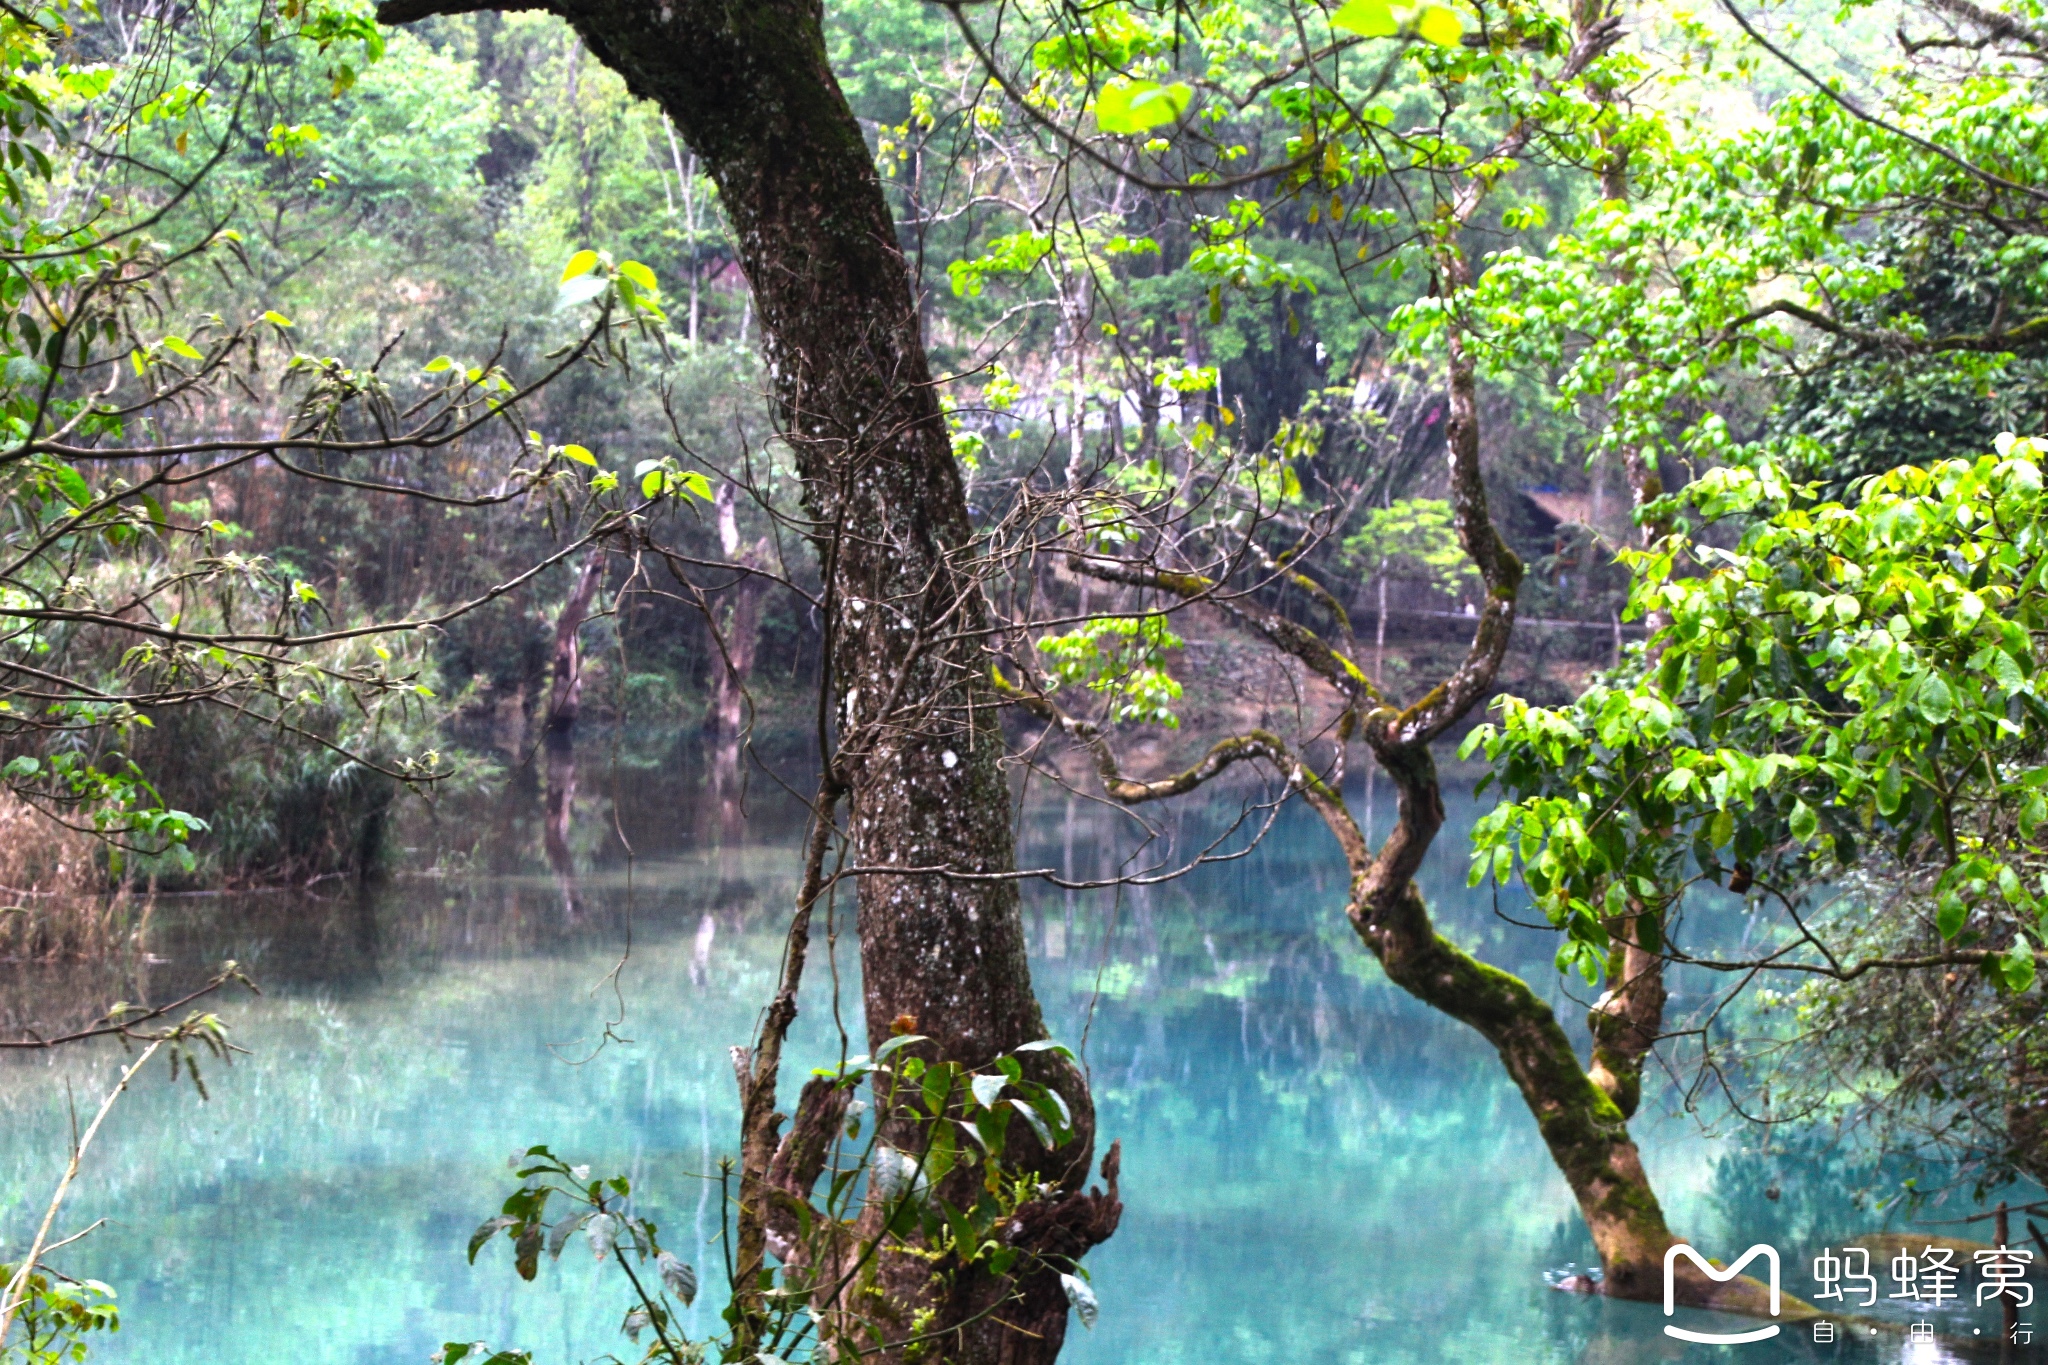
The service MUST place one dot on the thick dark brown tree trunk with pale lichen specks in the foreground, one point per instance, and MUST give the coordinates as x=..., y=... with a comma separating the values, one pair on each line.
x=919, y=742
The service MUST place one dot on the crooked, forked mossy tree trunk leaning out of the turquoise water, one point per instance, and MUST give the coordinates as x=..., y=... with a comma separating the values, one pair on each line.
x=1580, y=1112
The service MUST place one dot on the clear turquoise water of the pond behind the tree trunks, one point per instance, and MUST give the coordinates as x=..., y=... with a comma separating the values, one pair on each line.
x=1318, y=1170
